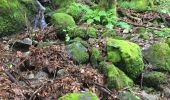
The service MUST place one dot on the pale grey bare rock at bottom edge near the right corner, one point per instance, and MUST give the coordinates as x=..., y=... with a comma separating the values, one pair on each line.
x=147, y=96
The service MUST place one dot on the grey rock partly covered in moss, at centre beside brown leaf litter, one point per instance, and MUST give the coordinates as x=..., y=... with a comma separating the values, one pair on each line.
x=77, y=52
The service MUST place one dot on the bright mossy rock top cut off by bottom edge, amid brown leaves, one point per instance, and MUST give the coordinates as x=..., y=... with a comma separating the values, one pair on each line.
x=79, y=96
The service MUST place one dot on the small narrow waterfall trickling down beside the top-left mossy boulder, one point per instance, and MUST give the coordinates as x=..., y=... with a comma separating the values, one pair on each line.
x=40, y=22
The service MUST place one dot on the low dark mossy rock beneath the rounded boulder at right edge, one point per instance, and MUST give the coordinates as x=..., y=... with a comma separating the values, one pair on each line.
x=154, y=79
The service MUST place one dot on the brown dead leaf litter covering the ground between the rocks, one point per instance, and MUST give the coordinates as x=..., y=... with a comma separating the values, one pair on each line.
x=31, y=75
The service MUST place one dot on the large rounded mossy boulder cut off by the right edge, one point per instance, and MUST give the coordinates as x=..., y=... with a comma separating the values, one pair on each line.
x=159, y=56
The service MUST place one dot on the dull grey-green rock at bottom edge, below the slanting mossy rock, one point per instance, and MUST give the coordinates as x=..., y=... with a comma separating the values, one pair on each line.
x=125, y=95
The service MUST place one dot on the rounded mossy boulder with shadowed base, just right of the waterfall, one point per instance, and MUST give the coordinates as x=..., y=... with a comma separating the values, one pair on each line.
x=62, y=22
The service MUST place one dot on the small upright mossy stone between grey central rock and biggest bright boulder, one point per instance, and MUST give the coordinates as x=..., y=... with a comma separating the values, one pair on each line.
x=95, y=57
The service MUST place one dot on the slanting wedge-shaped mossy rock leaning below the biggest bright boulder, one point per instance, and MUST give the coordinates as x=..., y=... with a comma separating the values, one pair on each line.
x=115, y=77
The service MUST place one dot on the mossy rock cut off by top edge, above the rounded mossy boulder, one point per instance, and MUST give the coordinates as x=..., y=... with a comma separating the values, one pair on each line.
x=62, y=3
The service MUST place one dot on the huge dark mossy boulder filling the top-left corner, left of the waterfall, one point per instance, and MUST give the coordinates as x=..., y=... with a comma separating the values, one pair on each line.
x=12, y=17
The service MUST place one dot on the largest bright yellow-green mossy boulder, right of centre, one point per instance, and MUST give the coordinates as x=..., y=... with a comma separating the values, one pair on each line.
x=127, y=56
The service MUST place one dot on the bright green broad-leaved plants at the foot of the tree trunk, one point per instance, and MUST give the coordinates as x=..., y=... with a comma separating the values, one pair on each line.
x=106, y=18
